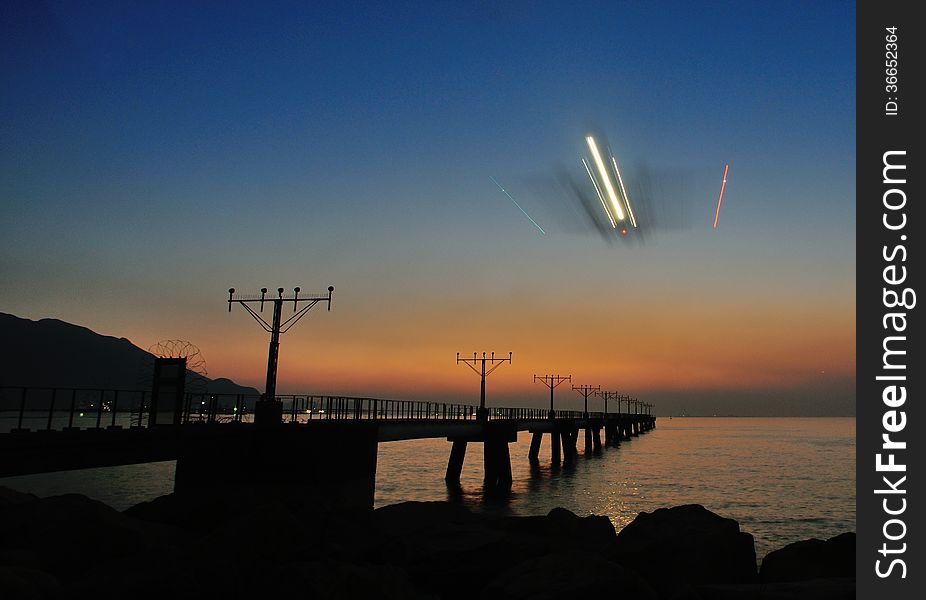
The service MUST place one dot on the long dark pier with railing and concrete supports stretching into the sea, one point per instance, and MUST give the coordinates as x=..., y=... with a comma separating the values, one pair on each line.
x=314, y=443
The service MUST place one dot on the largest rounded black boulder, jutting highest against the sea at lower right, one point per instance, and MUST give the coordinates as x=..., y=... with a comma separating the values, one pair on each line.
x=685, y=545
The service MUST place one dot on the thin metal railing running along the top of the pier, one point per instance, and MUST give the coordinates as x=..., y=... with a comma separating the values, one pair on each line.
x=53, y=408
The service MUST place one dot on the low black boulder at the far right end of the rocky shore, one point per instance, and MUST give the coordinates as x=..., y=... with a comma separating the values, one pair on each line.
x=811, y=559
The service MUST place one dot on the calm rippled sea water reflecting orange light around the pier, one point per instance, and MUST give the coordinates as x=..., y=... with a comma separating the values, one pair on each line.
x=783, y=479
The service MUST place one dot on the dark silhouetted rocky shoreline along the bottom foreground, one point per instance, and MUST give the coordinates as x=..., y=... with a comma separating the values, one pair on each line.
x=245, y=544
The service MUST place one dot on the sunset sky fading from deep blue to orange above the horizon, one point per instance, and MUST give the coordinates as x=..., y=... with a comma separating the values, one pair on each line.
x=152, y=157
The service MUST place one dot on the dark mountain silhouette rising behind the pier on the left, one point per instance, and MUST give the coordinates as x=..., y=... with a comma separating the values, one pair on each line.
x=53, y=353
